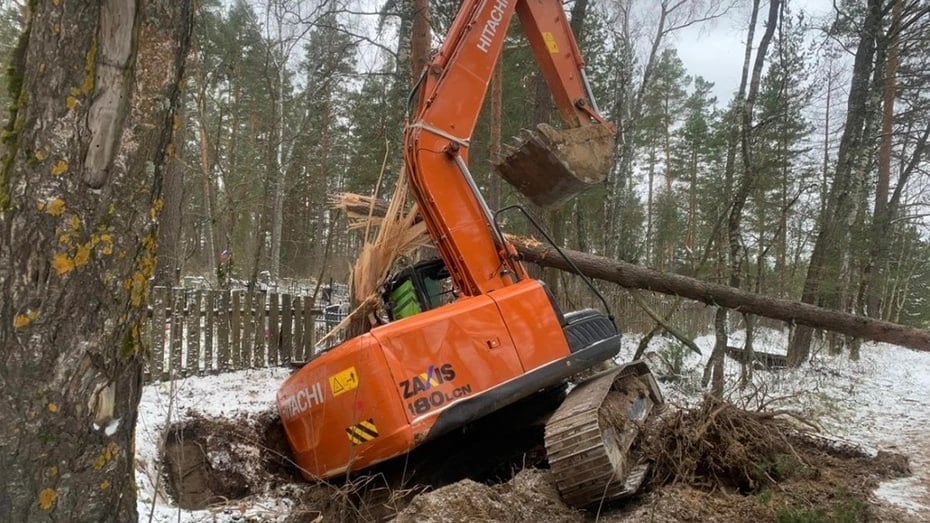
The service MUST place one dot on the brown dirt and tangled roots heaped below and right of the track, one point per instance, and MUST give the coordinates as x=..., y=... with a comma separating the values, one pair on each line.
x=714, y=463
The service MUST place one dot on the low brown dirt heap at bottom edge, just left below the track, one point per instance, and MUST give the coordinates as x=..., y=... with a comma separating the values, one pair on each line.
x=529, y=496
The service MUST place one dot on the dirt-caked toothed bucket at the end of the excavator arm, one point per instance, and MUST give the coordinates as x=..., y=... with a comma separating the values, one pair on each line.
x=551, y=165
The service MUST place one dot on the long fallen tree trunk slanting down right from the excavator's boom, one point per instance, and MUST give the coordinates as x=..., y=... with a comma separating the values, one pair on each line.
x=635, y=277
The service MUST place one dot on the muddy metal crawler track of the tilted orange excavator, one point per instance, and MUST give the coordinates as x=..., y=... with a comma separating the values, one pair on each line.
x=589, y=437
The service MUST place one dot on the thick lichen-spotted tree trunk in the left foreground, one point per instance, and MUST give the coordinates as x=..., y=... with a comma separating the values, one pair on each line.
x=96, y=85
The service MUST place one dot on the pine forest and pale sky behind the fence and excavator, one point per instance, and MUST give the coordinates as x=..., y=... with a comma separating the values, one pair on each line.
x=808, y=181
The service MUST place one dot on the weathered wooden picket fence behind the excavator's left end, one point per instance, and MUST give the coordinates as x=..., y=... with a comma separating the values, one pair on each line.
x=197, y=332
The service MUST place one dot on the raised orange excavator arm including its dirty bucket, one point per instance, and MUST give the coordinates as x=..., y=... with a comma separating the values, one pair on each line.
x=451, y=92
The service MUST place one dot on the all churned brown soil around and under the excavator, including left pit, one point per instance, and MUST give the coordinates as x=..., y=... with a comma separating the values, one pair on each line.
x=711, y=463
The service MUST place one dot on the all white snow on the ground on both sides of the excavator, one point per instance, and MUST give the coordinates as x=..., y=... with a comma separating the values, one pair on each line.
x=879, y=402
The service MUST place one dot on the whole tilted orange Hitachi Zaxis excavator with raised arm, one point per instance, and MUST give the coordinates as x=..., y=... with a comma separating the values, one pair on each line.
x=440, y=364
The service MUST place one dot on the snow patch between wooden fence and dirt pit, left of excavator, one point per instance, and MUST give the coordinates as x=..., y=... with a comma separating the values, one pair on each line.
x=226, y=395
